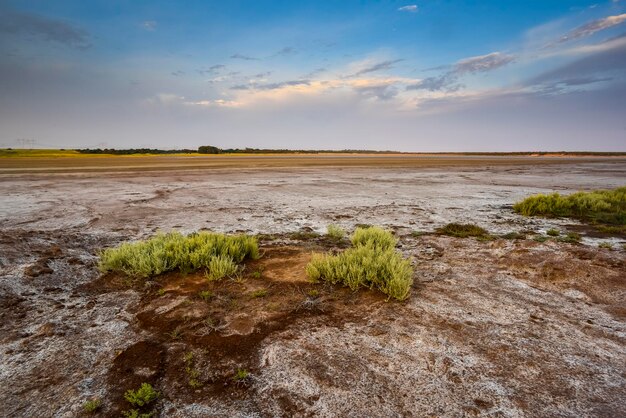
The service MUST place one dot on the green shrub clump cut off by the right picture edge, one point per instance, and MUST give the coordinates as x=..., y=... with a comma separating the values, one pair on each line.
x=599, y=206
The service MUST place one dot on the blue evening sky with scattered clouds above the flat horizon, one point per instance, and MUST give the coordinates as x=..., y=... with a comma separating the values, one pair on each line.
x=427, y=75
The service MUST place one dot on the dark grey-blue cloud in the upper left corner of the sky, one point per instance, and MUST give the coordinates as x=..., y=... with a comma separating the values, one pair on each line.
x=48, y=29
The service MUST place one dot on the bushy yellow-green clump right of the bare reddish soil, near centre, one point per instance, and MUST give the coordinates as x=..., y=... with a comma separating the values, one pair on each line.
x=372, y=263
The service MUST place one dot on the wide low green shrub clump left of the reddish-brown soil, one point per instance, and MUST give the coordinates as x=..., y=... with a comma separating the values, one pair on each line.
x=217, y=253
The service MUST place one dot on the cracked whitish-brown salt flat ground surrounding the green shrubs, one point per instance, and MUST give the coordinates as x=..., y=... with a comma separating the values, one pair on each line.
x=502, y=328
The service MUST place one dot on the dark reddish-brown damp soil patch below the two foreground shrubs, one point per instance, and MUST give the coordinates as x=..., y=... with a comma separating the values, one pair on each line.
x=221, y=325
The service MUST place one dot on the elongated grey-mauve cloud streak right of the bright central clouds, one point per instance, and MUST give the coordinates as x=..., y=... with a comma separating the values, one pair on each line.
x=448, y=81
